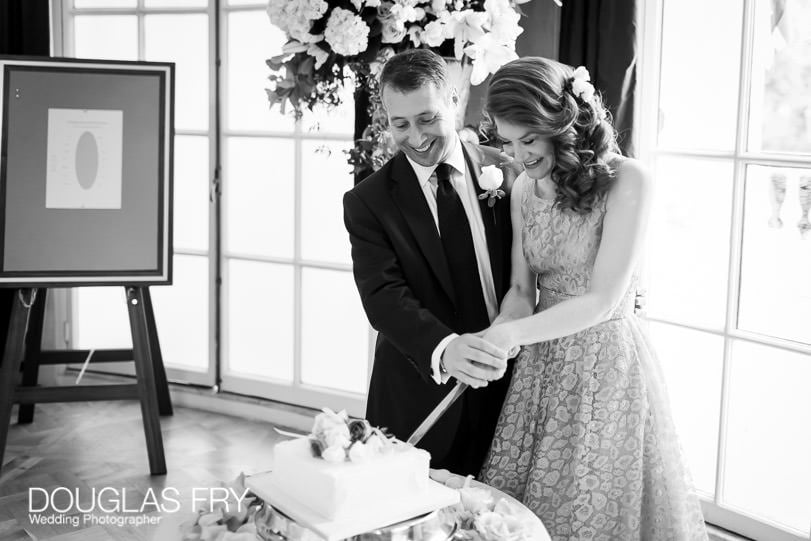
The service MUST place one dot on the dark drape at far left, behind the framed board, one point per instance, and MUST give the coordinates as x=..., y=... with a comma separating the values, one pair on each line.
x=24, y=30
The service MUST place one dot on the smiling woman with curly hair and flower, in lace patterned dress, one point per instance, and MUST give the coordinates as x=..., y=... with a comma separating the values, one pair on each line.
x=585, y=438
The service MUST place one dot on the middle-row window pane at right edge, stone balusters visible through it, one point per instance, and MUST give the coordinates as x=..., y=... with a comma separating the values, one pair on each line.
x=775, y=289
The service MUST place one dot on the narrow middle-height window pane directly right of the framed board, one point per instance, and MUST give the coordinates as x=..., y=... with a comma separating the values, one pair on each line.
x=191, y=192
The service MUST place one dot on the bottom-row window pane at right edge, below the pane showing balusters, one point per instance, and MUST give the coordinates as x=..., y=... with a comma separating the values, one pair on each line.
x=769, y=435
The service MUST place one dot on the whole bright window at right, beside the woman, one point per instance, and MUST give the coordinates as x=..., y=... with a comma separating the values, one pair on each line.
x=726, y=128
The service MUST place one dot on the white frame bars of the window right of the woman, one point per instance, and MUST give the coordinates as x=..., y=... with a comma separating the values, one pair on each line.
x=650, y=23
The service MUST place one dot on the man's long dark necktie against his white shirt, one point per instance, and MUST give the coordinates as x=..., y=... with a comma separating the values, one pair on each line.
x=457, y=241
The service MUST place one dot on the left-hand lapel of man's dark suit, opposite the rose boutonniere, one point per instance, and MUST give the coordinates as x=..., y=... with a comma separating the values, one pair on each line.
x=409, y=197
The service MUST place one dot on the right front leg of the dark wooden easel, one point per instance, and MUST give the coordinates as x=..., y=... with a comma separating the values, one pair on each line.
x=145, y=373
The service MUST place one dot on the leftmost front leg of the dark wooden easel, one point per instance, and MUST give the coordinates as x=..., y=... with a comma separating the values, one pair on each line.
x=12, y=357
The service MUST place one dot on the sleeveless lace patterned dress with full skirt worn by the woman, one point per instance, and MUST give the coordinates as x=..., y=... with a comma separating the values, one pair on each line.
x=585, y=438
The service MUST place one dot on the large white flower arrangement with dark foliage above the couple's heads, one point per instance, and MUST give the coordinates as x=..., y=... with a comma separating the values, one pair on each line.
x=336, y=42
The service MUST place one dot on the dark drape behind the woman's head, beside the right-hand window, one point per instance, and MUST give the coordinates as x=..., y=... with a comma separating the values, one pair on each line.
x=601, y=35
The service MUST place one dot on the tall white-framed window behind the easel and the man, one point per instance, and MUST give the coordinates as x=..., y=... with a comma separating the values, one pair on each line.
x=288, y=315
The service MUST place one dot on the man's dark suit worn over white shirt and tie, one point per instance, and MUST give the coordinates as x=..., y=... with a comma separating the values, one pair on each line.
x=407, y=291
